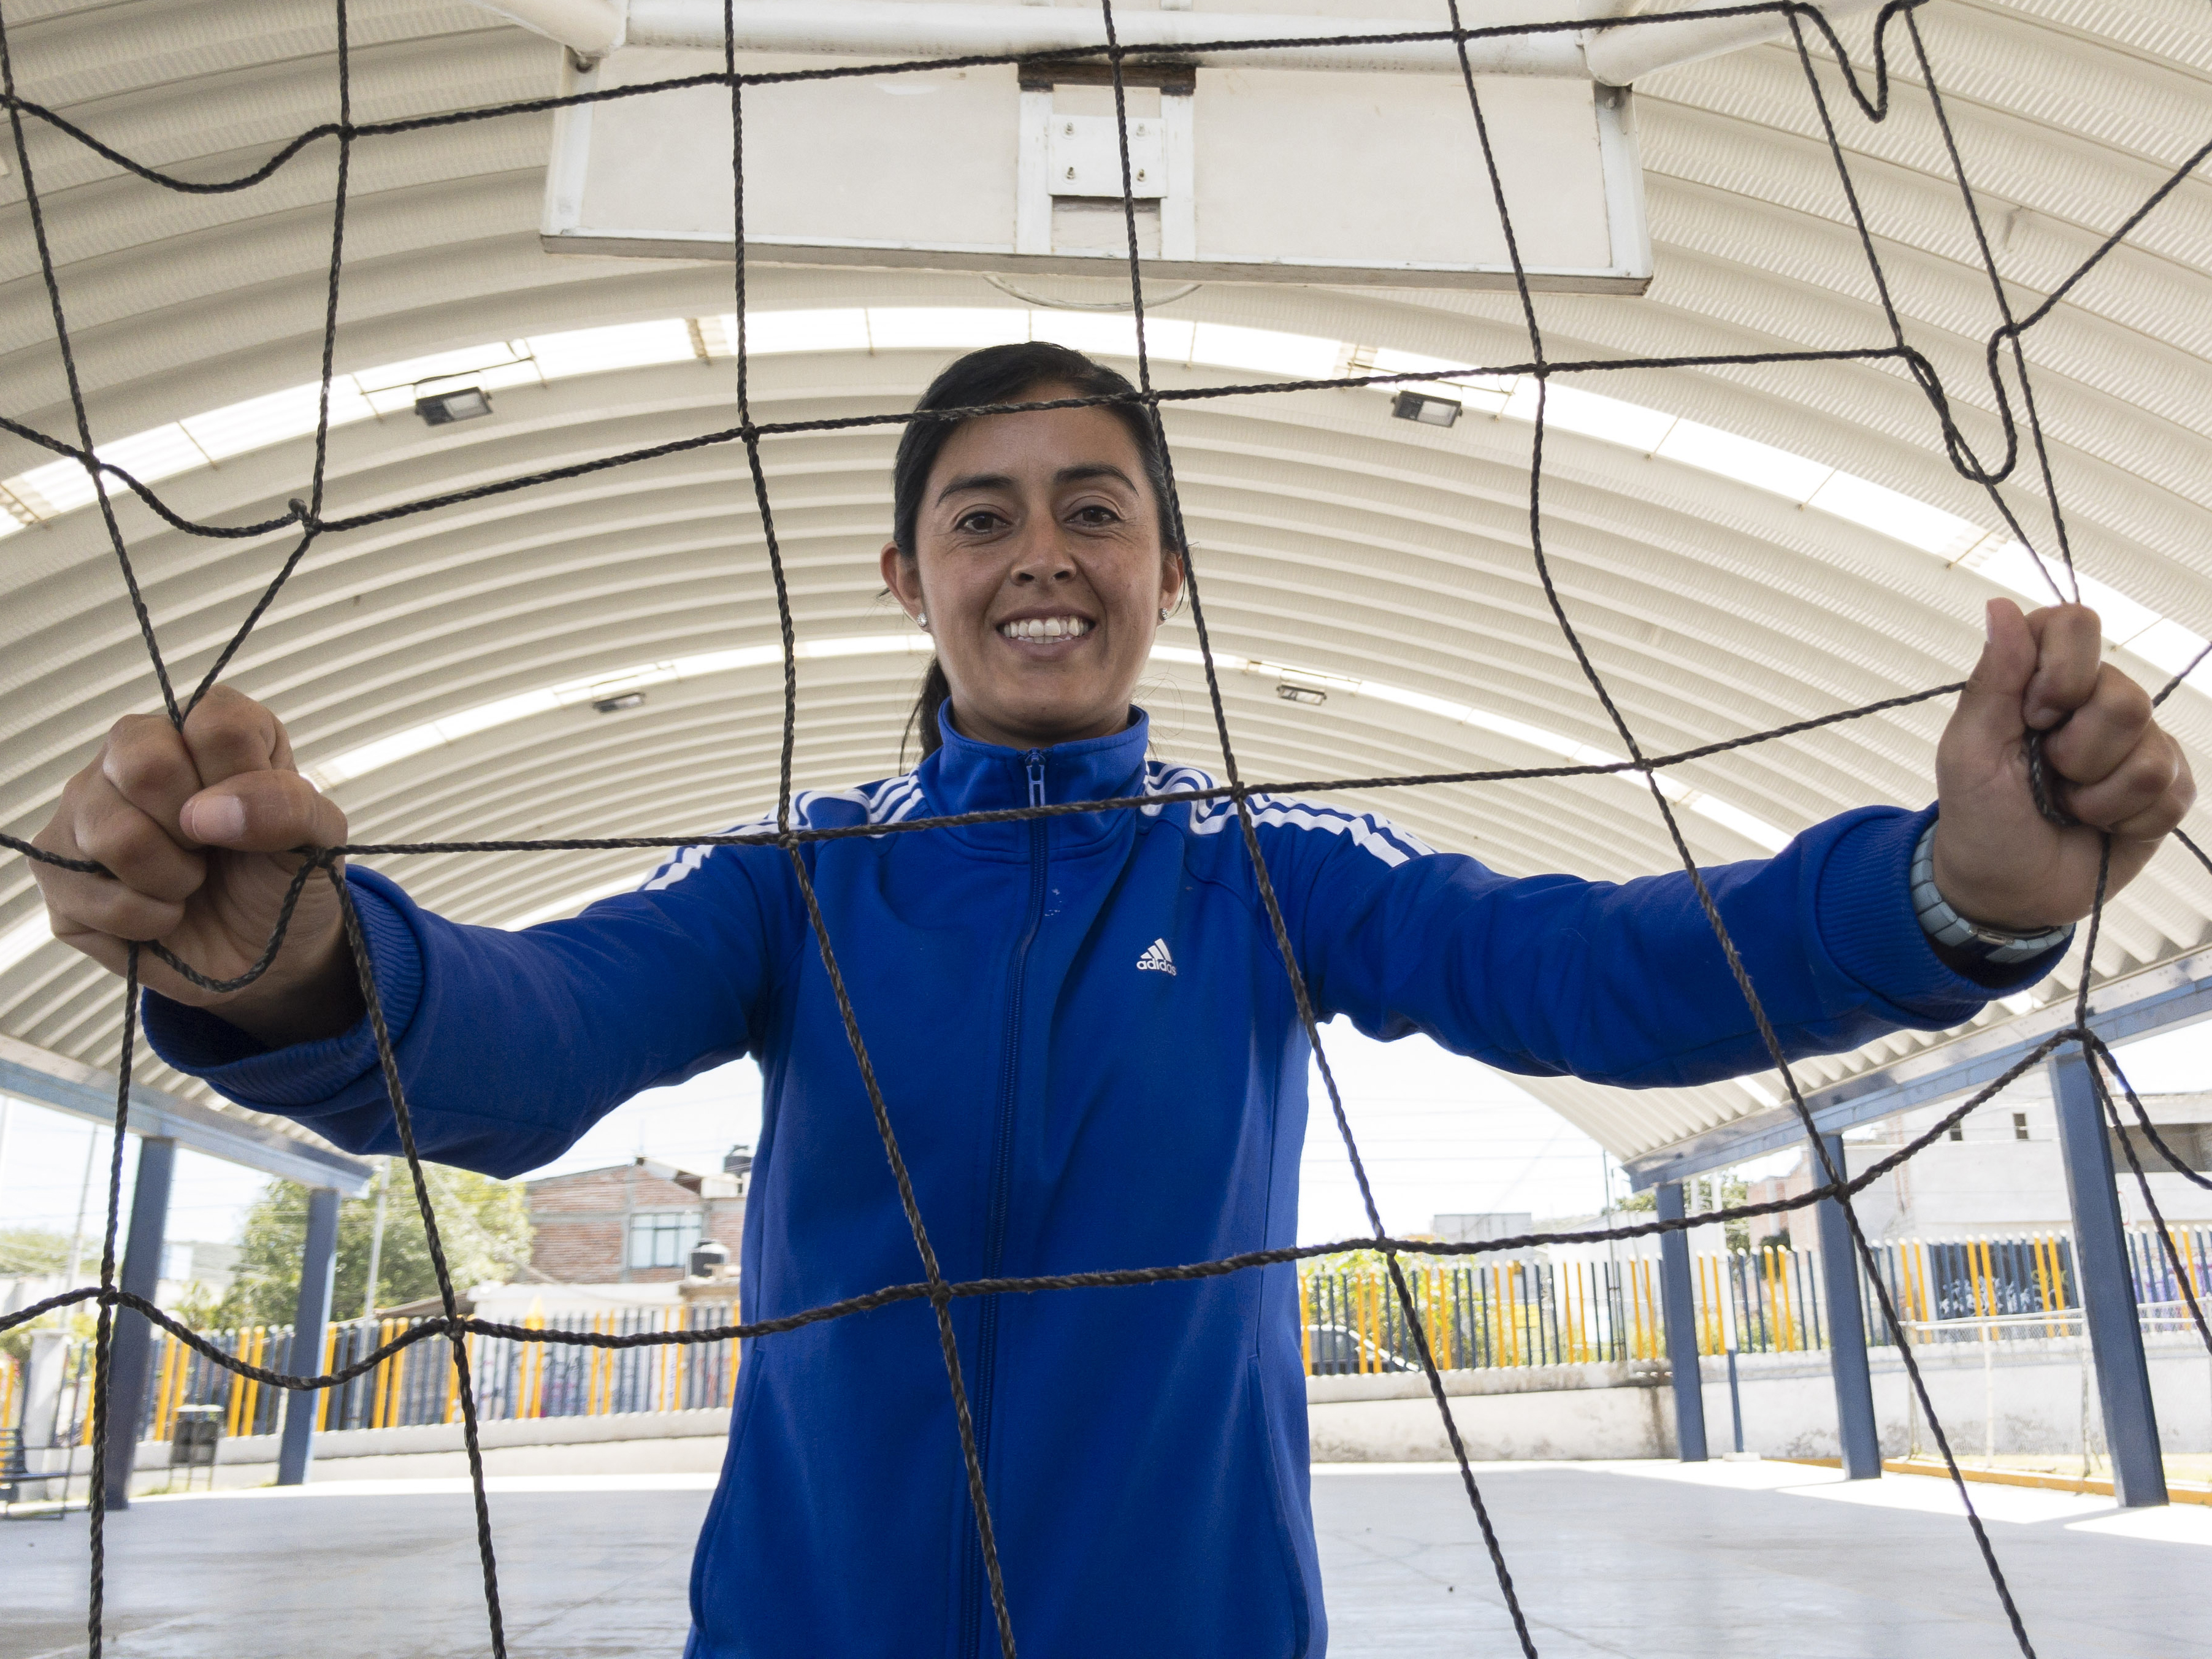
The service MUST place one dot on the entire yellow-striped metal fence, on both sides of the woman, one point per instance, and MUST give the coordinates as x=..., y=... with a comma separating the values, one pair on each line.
x=1479, y=1317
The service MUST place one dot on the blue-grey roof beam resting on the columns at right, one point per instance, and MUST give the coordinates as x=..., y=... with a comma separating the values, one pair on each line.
x=2164, y=997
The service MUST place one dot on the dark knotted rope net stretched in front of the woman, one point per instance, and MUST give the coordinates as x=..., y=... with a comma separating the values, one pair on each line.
x=1806, y=28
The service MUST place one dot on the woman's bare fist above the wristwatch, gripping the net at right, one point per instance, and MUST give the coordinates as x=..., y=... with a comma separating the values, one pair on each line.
x=1999, y=859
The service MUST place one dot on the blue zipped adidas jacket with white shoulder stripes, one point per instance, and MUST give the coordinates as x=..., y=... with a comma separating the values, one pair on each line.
x=1092, y=1061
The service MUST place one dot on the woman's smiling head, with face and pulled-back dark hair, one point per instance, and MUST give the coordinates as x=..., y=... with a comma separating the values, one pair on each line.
x=1034, y=550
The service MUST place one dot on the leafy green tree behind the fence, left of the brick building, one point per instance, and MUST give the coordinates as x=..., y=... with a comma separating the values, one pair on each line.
x=483, y=1227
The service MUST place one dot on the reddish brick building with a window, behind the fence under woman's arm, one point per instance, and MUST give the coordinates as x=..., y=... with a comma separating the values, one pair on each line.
x=634, y=1224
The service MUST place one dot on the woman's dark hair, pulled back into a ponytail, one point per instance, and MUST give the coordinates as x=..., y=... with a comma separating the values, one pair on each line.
x=1008, y=375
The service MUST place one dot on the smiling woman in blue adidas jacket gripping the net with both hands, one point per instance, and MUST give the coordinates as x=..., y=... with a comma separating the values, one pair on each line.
x=1085, y=1036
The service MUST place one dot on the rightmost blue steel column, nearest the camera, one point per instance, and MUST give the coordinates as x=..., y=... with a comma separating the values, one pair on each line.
x=2107, y=1288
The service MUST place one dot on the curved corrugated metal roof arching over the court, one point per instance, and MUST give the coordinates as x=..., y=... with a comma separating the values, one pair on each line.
x=1331, y=539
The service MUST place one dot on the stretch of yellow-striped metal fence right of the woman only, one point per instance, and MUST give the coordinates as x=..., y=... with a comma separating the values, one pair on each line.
x=1576, y=1313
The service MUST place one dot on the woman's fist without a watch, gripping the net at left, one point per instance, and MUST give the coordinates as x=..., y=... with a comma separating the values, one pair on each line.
x=198, y=831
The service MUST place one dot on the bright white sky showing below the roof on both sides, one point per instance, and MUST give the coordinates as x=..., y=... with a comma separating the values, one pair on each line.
x=1439, y=1136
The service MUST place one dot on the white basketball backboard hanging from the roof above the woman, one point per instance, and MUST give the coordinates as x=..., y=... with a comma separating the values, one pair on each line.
x=1308, y=167
